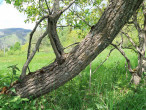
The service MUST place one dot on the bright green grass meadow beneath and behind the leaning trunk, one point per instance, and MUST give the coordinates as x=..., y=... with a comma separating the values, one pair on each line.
x=110, y=89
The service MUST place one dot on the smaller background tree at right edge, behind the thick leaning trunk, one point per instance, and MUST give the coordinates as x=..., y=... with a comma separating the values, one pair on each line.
x=138, y=24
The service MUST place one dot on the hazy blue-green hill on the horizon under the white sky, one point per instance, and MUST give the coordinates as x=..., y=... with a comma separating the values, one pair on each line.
x=10, y=36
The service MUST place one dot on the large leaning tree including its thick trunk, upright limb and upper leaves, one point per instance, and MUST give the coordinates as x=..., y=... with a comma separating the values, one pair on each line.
x=68, y=65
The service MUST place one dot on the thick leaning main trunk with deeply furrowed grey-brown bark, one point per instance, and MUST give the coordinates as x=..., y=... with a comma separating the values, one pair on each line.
x=101, y=35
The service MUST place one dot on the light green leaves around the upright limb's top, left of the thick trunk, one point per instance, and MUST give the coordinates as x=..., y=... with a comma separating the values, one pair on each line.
x=87, y=9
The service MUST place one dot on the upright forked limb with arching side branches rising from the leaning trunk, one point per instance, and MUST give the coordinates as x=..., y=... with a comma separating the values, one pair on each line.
x=52, y=32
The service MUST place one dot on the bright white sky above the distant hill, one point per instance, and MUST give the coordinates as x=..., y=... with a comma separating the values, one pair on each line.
x=10, y=17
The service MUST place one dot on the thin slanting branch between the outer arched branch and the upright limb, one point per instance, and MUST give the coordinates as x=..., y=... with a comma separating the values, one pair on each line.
x=23, y=74
